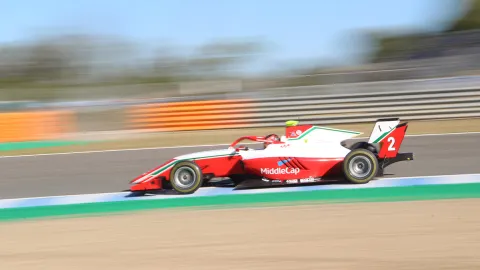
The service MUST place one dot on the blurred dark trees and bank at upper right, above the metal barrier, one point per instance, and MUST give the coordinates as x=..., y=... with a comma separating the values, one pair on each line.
x=393, y=56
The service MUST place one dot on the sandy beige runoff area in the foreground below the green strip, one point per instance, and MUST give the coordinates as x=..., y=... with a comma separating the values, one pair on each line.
x=432, y=235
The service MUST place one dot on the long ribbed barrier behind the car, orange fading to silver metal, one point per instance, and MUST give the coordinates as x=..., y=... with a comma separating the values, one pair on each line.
x=314, y=109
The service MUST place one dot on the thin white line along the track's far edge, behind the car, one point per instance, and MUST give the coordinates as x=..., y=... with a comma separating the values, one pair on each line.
x=207, y=145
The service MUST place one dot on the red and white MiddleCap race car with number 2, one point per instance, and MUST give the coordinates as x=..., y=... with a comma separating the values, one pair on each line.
x=305, y=154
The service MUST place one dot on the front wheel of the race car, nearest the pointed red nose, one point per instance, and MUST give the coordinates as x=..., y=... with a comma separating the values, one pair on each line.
x=186, y=177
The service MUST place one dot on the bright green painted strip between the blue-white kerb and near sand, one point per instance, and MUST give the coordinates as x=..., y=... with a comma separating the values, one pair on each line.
x=426, y=192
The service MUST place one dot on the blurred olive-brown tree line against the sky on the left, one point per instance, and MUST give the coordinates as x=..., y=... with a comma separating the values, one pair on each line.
x=76, y=59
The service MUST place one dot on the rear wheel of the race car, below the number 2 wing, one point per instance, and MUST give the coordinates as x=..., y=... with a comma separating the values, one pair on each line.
x=360, y=166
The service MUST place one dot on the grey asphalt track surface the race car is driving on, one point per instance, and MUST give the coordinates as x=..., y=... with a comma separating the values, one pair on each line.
x=100, y=172
